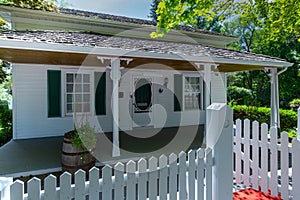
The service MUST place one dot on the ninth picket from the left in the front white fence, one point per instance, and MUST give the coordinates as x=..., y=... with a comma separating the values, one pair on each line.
x=131, y=180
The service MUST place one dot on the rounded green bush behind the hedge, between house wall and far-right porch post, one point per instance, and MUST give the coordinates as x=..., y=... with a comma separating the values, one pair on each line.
x=240, y=95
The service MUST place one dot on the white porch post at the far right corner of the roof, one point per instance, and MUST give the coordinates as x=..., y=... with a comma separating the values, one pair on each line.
x=275, y=117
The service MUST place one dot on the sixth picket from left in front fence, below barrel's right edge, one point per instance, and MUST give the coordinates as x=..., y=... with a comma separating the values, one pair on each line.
x=94, y=187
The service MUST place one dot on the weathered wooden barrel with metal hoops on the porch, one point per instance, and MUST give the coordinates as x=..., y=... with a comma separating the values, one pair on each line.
x=74, y=158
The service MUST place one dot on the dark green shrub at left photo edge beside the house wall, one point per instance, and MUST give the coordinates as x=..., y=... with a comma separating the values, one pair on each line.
x=5, y=123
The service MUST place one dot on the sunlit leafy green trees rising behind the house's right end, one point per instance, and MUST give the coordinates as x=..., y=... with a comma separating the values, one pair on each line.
x=262, y=26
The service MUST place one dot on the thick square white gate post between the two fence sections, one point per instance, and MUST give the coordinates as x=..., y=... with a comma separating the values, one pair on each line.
x=219, y=137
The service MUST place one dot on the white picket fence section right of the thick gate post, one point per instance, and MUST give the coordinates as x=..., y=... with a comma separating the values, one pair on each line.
x=261, y=159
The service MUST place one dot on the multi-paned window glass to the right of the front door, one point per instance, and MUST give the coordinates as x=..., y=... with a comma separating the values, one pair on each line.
x=192, y=92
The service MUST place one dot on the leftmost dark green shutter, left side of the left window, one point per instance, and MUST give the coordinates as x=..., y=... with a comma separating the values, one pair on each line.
x=54, y=93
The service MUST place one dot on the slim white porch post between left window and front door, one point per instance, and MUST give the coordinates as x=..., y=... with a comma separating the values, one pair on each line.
x=115, y=75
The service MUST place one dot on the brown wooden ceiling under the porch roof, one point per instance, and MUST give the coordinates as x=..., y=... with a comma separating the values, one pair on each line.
x=82, y=59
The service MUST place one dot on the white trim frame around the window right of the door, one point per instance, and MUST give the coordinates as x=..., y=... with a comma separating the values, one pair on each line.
x=201, y=90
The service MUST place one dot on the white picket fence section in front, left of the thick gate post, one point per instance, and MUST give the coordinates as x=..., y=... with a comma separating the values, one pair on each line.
x=186, y=176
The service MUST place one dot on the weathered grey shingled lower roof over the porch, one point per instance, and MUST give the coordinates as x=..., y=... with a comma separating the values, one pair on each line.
x=132, y=44
